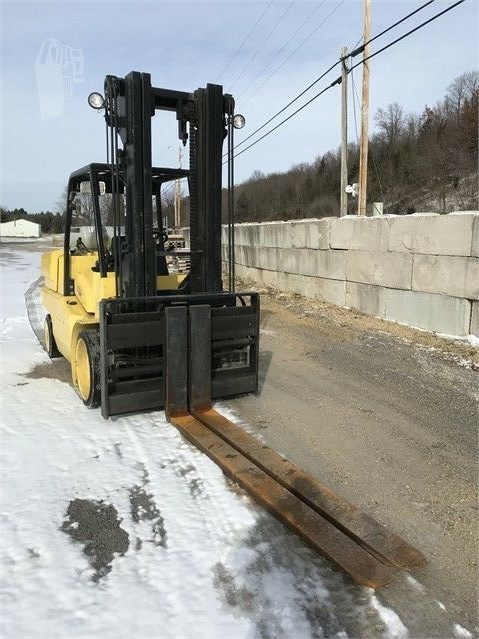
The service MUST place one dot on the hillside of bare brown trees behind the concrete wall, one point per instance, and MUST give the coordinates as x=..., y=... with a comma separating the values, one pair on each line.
x=416, y=162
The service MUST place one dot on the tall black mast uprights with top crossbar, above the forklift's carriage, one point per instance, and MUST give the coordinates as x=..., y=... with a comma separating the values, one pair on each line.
x=202, y=117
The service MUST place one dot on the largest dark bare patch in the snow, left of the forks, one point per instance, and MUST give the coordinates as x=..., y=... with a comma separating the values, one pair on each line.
x=96, y=525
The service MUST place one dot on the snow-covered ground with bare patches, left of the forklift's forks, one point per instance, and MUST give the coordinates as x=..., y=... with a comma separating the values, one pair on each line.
x=122, y=529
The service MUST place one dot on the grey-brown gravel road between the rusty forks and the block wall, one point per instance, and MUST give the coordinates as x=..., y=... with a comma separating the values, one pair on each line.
x=393, y=427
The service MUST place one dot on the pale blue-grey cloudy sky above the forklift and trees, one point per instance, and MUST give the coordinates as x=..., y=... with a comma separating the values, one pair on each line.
x=54, y=54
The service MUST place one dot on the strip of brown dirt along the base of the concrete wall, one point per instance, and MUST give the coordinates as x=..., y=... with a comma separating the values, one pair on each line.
x=345, y=324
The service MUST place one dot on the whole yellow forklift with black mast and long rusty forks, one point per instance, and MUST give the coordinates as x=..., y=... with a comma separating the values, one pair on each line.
x=140, y=338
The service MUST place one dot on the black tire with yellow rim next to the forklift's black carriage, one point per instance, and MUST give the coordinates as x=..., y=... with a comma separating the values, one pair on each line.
x=87, y=367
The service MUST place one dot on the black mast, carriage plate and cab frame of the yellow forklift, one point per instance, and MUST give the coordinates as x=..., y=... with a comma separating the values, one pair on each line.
x=138, y=341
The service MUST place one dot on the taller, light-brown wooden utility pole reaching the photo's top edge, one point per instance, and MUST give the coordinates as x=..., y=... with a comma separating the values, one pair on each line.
x=363, y=148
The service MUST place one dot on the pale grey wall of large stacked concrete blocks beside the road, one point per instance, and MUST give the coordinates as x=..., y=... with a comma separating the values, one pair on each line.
x=421, y=269
